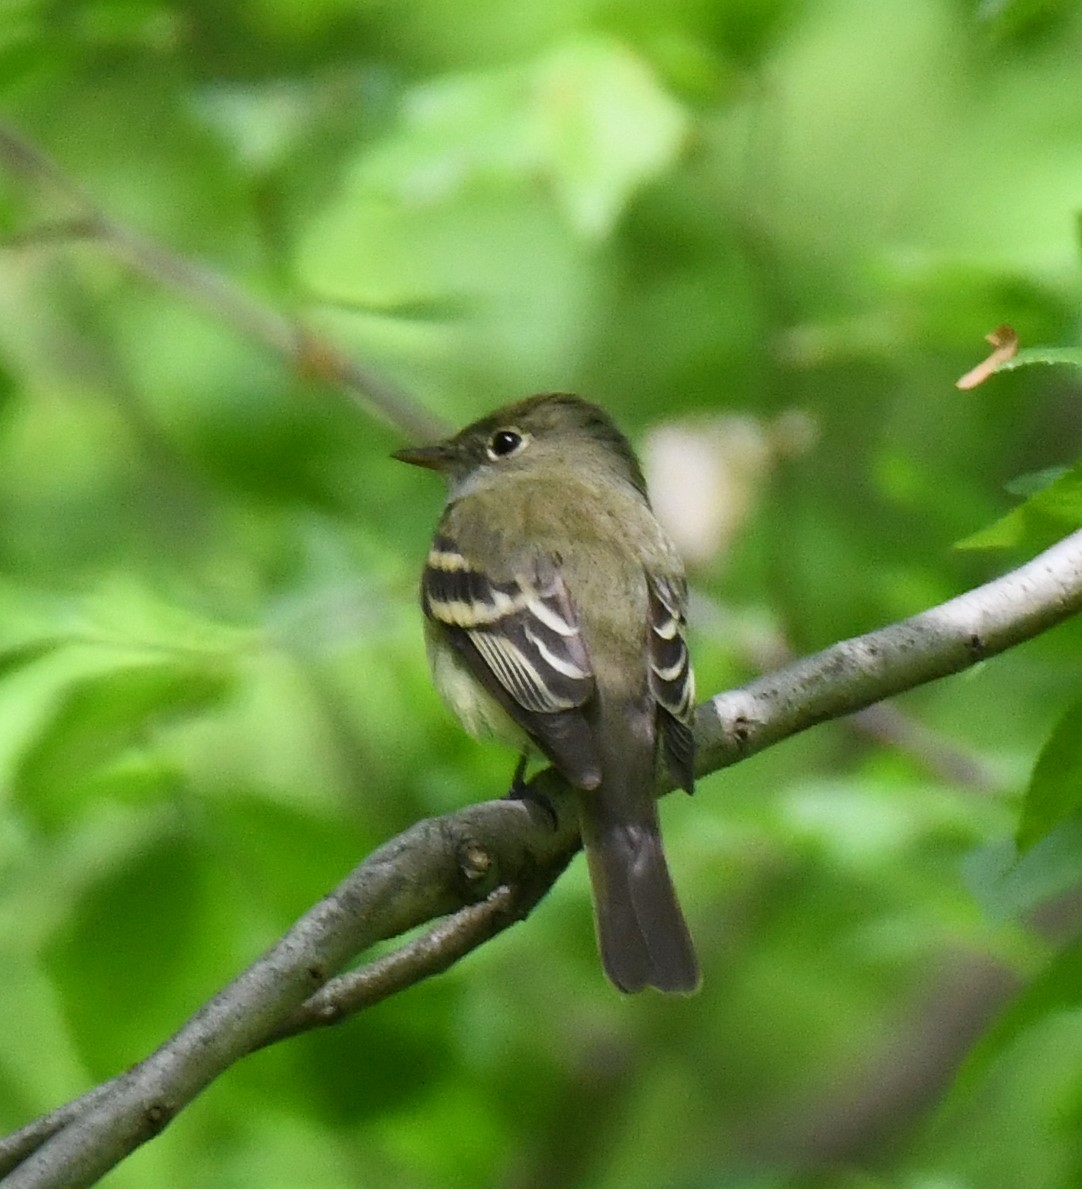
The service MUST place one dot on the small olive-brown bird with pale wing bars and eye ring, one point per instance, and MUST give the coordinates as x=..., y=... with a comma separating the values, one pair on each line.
x=555, y=611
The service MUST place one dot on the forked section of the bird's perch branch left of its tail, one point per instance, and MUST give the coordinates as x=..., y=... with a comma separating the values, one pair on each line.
x=432, y=870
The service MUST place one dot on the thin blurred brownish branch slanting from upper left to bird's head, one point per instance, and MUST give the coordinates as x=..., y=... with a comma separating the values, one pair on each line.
x=301, y=350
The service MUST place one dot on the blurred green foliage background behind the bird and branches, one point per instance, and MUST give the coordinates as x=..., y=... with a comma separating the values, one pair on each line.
x=770, y=232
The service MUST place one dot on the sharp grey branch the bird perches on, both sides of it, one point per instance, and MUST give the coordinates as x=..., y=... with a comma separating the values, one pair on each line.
x=490, y=864
